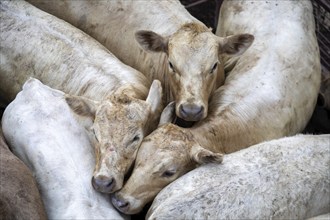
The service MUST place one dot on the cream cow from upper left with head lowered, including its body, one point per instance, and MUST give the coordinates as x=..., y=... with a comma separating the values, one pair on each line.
x=111, y=94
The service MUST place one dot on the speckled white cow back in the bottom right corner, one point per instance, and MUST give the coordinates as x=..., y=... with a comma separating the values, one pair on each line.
x=286, y=178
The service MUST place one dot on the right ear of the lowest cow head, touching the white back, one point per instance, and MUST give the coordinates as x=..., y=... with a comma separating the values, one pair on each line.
x=202, y=156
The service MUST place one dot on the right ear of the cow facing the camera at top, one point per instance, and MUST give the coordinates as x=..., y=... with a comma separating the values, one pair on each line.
x=235, y=44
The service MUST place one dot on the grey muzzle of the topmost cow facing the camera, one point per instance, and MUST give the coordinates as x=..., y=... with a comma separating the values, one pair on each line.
x=191, y=112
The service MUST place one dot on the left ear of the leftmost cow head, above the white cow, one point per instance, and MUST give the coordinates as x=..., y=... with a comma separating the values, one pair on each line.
x=82, y=106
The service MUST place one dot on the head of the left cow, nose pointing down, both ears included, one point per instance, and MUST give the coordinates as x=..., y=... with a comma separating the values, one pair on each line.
x=119, y=125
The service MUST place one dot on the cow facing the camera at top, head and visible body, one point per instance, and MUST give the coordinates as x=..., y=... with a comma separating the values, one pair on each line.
x=160, y=39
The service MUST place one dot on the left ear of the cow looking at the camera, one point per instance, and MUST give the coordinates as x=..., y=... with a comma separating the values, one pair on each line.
x=150, y=41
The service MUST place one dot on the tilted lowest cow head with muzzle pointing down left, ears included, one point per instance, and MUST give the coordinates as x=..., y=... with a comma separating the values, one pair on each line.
x=165, y=155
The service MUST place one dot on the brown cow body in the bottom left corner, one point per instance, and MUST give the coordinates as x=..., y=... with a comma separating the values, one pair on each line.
x=19, y=194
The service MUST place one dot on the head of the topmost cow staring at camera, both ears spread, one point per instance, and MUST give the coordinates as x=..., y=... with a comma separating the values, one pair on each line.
x=194, y=65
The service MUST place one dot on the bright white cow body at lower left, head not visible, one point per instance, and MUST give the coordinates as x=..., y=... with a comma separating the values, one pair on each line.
x=45, y=134
